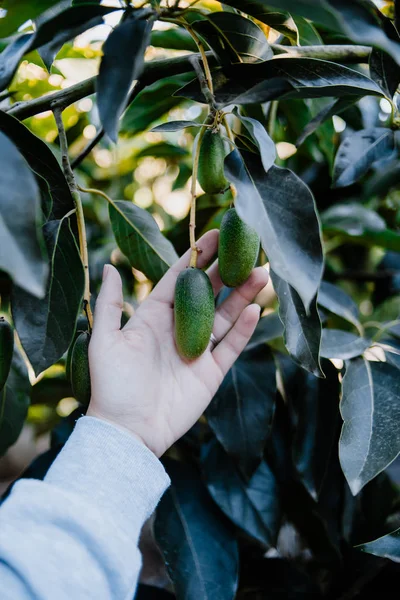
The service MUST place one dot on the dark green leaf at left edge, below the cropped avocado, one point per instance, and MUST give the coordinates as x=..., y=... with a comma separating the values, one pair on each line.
x=14, y=402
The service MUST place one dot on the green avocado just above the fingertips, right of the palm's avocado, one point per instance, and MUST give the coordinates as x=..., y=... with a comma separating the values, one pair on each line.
x=238, y=249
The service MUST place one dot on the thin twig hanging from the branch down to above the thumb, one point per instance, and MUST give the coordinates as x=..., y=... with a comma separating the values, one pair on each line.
x=69, y=176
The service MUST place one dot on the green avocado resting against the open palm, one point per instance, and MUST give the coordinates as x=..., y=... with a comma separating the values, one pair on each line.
x=194, y=312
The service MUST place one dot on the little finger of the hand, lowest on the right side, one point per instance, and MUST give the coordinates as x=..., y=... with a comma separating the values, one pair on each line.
x=227, y=351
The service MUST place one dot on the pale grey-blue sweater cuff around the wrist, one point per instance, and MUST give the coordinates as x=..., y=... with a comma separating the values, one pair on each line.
x=111, y=469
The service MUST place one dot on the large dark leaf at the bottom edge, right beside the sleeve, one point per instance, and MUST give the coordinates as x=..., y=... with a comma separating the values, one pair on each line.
x=199, y=548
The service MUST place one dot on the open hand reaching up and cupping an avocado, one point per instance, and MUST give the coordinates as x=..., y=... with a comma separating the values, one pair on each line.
x=139, y=381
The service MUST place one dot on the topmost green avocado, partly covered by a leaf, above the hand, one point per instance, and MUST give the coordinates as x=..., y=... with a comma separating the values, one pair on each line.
x=210, y=172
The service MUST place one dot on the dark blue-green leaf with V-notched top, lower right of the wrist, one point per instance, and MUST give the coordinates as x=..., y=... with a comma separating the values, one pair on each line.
x=253, y=506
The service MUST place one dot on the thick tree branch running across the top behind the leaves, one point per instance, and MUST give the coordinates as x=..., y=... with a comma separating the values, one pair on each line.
x=158, y=69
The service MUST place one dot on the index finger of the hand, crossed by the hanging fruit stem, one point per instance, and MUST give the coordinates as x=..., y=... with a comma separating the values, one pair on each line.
x=207, y=244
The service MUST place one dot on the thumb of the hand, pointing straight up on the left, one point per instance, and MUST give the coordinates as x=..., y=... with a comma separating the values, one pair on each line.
x=108, y=310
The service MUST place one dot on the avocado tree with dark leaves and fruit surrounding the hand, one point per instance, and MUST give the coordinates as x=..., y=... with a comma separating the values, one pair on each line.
x=285, y=111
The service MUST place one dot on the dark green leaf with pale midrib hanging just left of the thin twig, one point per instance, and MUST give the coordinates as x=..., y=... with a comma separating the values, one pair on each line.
x=46, y=327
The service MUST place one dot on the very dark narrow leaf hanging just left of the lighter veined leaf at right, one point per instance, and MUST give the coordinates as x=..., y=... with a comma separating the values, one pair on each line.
x=314, y=412
